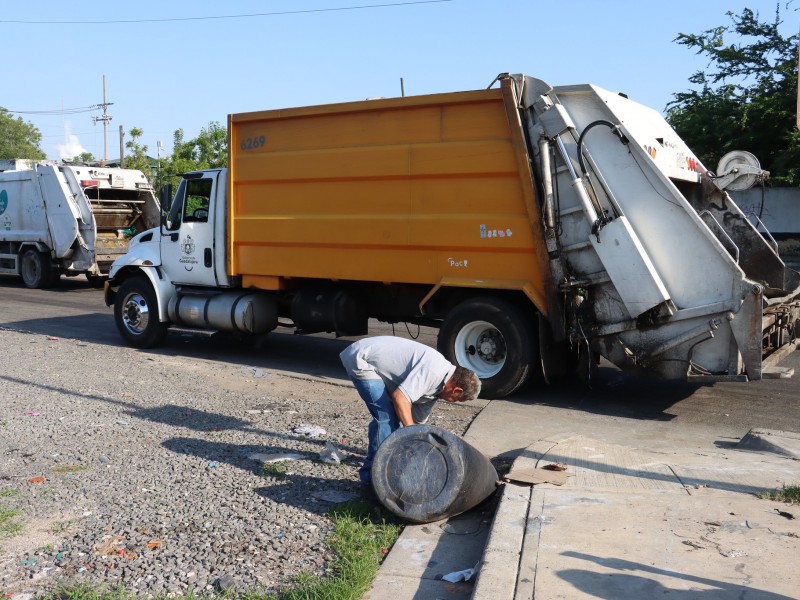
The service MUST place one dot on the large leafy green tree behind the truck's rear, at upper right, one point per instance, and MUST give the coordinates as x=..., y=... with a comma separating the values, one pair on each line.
x=746, y=99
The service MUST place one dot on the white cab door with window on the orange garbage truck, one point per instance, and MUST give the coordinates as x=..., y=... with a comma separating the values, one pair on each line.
x=187, y=245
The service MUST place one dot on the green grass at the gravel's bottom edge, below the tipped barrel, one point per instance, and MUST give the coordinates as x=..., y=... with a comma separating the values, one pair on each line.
x=360, y=539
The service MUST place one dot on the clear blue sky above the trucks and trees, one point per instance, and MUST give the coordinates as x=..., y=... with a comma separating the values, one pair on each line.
x=166, y=75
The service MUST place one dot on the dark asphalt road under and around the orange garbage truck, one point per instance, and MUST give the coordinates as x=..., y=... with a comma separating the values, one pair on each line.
x=76, y=310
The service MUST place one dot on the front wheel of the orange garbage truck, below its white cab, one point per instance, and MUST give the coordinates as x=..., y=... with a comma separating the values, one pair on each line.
x=136, y=314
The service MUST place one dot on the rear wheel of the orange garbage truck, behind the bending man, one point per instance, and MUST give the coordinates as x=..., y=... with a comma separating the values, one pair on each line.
x=493, y=338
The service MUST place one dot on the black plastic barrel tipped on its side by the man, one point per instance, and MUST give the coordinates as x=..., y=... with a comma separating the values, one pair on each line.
x=423, y=473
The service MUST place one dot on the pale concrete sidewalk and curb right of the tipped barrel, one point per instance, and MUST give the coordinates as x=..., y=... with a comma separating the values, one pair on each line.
x=680, y=520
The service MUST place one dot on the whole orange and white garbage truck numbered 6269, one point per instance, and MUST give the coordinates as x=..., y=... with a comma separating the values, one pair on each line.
x=538, y=228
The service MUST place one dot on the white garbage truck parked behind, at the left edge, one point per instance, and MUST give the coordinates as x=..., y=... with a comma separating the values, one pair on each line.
x=69, y=219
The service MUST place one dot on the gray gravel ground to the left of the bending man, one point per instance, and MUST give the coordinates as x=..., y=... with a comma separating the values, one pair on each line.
x=137, y=468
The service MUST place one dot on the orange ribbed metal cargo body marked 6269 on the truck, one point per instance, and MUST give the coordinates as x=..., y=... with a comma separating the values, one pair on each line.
x=433, y=190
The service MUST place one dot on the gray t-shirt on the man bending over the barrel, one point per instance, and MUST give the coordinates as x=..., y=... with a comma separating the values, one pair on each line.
x=418, y=370
